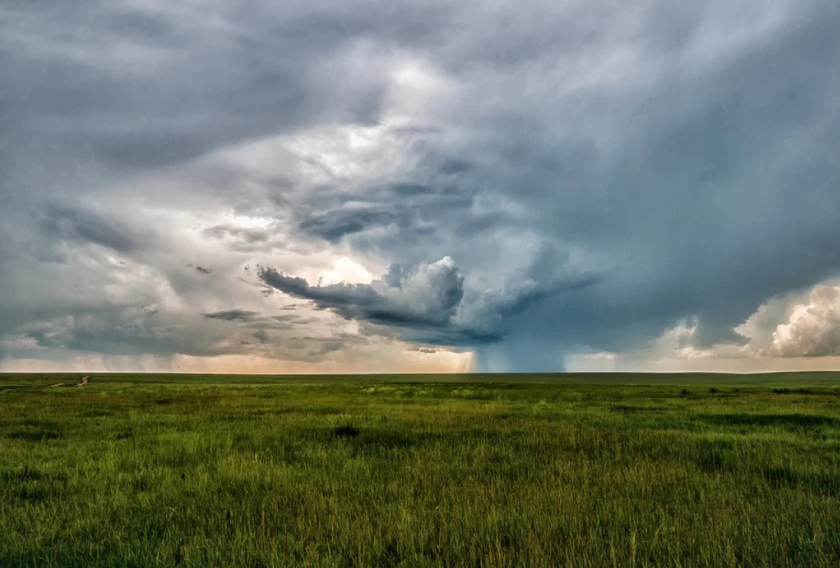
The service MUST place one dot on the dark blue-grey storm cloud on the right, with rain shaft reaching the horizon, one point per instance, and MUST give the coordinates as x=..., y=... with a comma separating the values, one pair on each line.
x=717, y=191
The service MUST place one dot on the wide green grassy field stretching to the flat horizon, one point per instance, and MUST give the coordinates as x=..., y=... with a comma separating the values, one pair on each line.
x=537, y=470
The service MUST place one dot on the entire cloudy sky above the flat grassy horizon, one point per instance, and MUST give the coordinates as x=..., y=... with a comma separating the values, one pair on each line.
x=431, y=186
